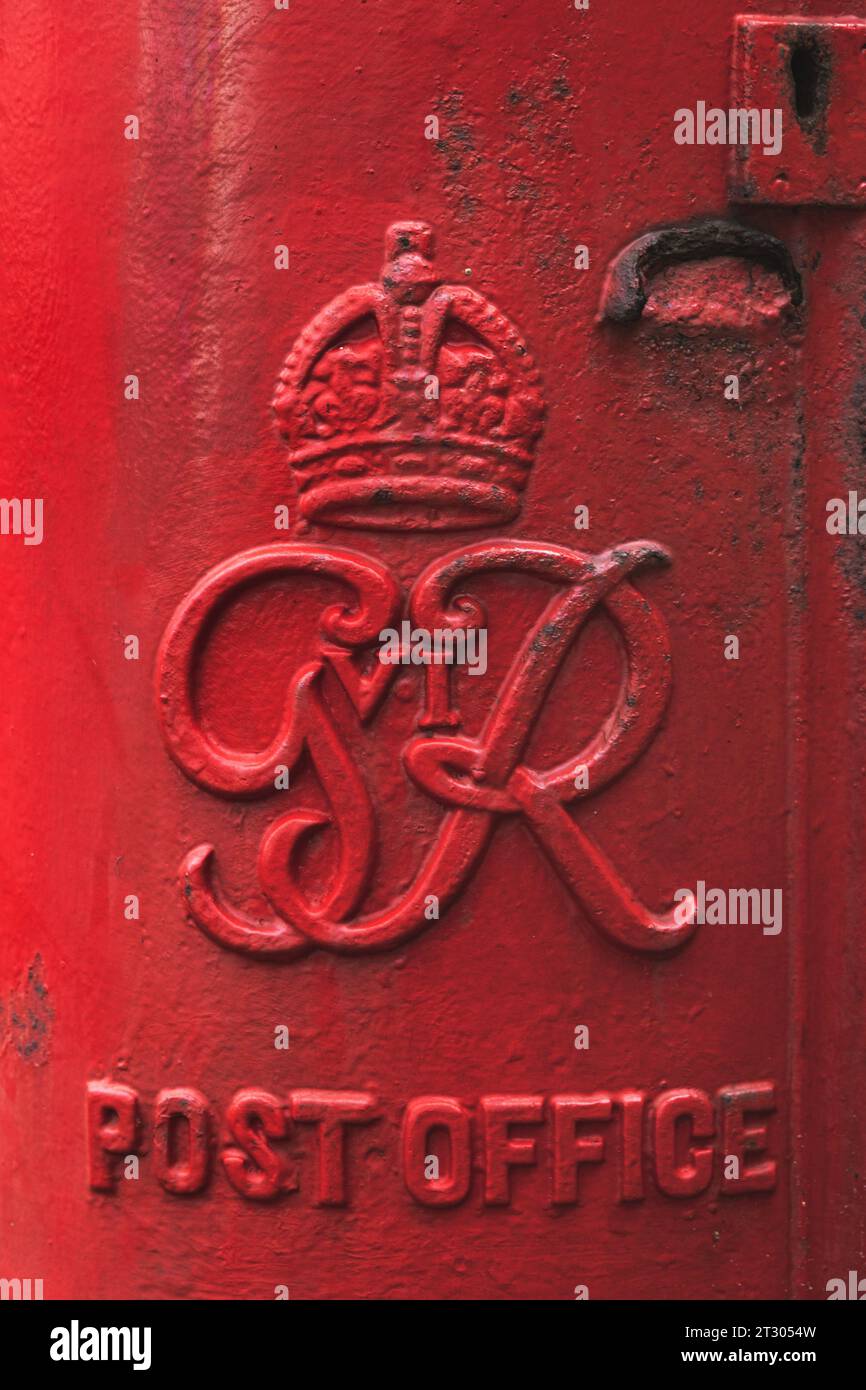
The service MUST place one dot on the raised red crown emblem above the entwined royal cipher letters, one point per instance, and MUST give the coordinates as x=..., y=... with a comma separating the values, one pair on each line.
x=411, y=404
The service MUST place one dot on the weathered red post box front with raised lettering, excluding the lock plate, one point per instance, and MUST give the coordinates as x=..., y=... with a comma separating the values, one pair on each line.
x=344, y=979
